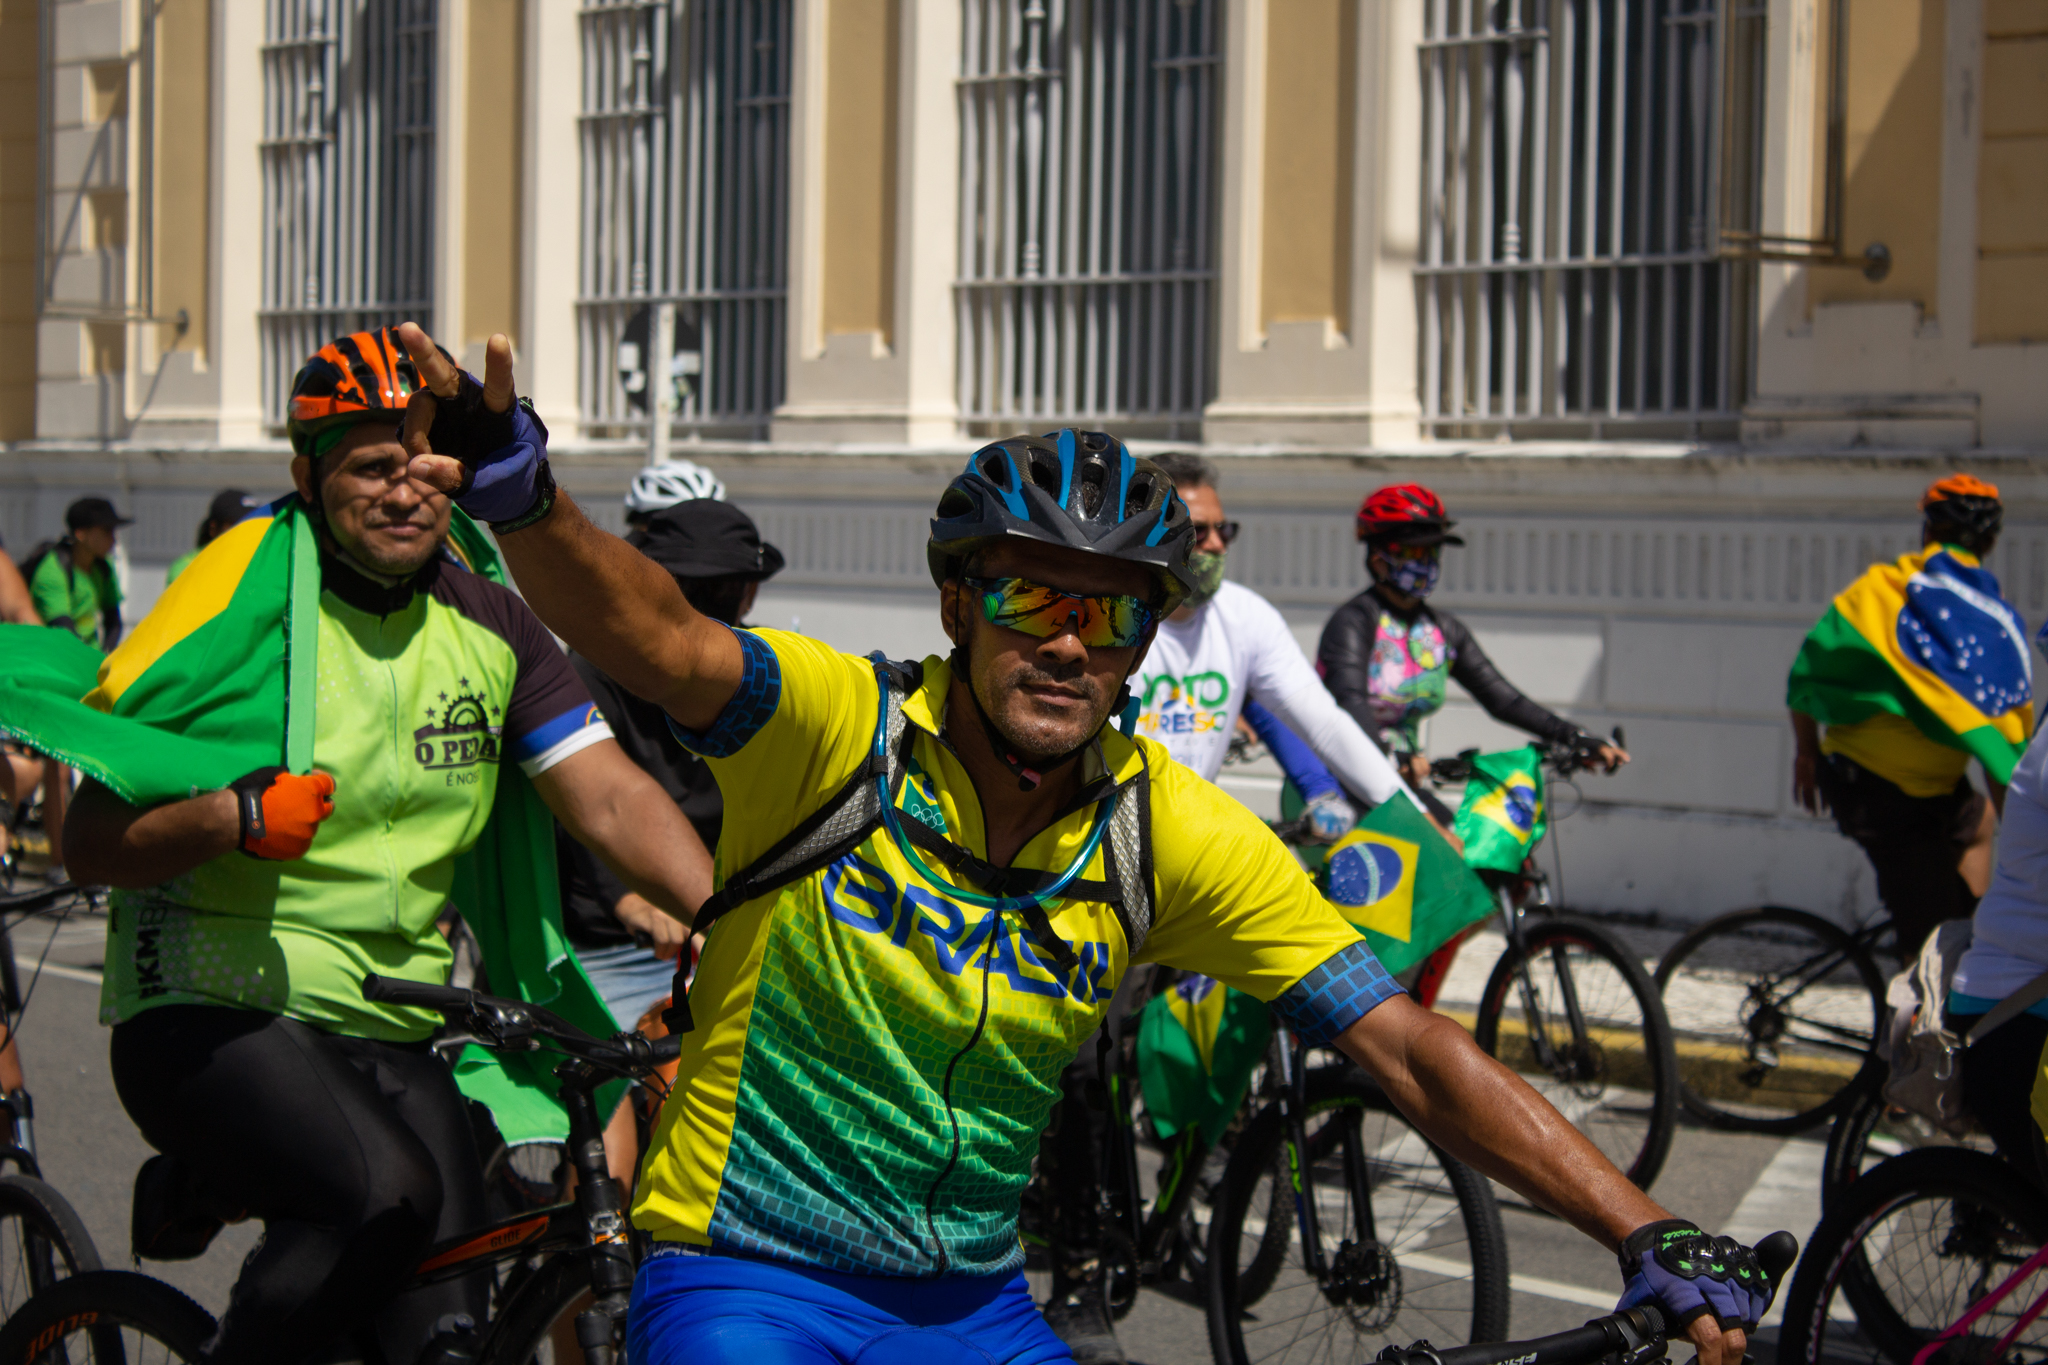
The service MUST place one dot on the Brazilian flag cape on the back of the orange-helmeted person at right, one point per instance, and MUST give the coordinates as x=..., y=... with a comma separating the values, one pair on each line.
x=1930, y=640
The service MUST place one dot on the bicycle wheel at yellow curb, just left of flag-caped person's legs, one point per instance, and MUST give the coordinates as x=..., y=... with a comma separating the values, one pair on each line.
x=1777, y=1018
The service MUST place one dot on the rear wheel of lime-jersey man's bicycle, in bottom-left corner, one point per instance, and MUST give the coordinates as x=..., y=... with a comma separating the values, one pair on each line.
x=108, y=1319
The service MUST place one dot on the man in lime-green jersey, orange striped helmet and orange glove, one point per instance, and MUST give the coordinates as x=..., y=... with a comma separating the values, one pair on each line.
x=247, y=918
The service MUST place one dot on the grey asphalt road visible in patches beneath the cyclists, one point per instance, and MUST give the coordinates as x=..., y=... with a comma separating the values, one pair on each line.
x=89, y=1149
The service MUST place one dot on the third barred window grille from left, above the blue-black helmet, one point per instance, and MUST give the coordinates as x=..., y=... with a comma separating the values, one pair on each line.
x=1089, y=185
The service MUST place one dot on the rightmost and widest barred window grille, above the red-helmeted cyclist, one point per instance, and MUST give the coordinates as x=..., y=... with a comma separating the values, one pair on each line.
x=1582, y=163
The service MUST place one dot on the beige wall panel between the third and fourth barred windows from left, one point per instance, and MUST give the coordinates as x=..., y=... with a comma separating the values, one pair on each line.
x=1306, y=228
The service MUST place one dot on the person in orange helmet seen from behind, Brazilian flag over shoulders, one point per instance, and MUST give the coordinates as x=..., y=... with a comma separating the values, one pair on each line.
x=1891, y=760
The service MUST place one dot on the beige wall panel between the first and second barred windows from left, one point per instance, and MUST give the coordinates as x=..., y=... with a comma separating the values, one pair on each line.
x=493, y=159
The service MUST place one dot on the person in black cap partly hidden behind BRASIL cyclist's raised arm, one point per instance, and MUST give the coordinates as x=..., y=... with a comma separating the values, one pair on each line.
x=720, y=562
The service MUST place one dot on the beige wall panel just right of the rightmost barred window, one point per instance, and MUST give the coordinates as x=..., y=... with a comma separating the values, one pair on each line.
x=1893, y=150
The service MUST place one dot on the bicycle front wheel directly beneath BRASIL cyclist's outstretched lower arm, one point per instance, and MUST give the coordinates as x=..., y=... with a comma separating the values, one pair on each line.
x=1410, y=1239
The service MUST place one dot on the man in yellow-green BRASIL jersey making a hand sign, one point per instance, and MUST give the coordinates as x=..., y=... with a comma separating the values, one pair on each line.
x=933, y=877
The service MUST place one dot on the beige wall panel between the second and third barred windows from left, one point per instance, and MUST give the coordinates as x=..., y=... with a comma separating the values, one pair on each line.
x=861, y=155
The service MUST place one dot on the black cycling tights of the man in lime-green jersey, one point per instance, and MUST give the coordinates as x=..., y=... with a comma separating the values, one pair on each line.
x=355, y=1153
